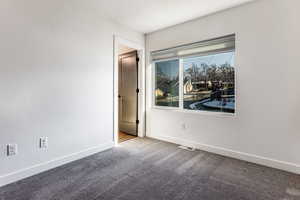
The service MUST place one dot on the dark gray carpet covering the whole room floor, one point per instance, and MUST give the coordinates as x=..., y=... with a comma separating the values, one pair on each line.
x=147, y=169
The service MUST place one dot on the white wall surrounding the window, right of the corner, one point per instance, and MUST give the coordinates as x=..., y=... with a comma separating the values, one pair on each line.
x=266, y=127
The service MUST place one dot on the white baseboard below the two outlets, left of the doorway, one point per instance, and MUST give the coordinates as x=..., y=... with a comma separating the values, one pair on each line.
x=36, y=169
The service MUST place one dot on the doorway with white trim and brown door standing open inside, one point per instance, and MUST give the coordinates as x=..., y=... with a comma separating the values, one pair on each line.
x=128, y=87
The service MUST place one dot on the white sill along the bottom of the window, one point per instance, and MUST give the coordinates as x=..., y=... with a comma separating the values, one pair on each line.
x=197, y=112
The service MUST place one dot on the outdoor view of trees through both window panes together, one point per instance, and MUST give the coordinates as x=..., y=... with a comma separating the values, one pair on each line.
x=208, y=82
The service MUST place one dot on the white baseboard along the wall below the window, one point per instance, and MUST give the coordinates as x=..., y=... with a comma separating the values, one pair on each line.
x=286, y=166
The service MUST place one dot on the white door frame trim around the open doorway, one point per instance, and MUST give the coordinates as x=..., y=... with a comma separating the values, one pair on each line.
x=141, y=85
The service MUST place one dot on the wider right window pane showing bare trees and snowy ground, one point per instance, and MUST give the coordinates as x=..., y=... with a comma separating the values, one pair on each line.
x=209, y=83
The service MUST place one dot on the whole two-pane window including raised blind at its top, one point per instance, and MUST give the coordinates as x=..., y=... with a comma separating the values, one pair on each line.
x=198, y=76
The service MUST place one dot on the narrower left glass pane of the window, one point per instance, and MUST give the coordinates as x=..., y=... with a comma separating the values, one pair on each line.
x=167, y=83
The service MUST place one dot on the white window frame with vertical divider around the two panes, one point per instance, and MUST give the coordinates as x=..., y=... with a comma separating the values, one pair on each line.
x=180, y=108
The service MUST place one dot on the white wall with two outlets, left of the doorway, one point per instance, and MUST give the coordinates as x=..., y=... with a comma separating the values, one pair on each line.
x=56, y=80
